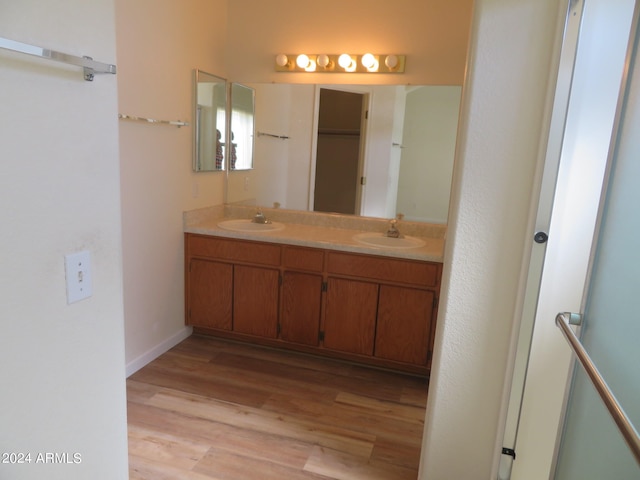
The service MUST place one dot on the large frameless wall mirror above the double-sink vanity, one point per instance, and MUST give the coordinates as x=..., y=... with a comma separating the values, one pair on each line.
x=357, y=149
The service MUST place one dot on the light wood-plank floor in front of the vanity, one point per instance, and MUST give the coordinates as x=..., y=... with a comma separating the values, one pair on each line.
x=211, y=409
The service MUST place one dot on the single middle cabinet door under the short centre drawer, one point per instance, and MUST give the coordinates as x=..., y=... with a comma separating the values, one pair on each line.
x=301, y=299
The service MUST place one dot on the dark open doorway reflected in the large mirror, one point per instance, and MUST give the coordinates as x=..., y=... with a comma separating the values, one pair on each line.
x=340, y=136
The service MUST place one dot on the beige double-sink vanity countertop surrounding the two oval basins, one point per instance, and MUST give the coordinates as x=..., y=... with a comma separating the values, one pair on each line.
x=325, y=237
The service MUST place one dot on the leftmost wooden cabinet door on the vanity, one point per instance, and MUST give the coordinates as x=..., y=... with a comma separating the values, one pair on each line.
x=209, y=294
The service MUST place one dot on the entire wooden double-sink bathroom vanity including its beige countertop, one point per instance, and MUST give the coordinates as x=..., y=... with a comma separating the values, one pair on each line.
x=314, y=288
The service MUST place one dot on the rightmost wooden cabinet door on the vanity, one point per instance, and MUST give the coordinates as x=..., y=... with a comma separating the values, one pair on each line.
x=404, y=324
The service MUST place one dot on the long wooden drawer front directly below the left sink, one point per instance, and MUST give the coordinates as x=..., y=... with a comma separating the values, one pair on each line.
x=233, y=250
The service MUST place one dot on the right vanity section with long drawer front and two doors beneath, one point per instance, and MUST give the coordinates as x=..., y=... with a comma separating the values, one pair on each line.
x=380, y=306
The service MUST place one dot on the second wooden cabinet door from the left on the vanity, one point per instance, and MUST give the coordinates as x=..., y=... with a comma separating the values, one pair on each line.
x=255, y=301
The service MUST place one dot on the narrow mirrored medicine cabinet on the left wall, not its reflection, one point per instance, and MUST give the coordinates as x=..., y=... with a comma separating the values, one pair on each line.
x=210, y=118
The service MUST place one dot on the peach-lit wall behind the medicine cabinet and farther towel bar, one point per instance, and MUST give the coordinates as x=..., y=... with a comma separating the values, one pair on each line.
x=159, y=43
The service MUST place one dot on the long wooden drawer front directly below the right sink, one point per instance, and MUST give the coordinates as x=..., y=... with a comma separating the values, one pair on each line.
x=384, y=269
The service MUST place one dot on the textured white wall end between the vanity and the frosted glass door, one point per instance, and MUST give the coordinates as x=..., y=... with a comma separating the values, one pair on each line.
x=503, y=109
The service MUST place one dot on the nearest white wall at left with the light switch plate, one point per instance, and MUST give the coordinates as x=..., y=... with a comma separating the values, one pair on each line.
x=63, y=372
